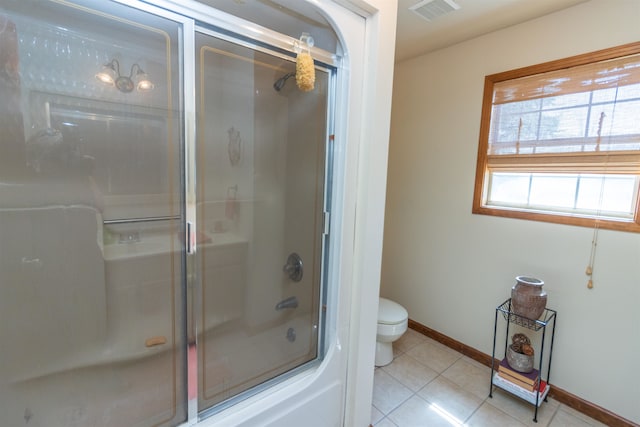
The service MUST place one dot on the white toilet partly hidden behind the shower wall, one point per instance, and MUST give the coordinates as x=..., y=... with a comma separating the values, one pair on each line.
x=392, y=323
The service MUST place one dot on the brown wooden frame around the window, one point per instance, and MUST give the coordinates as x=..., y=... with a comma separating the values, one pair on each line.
x=482, y=171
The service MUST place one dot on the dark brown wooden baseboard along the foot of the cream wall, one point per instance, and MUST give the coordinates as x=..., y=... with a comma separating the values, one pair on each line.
x=594, y=411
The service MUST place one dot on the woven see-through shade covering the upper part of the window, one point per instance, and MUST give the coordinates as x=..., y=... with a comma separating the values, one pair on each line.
x=583, y=117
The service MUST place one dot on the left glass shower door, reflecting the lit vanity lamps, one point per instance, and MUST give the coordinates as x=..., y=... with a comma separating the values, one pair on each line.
x=91, y=249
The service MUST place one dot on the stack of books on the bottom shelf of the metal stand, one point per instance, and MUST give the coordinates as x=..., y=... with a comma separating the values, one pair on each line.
x=523, y=385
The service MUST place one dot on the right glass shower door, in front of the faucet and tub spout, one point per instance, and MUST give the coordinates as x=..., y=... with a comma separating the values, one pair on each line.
x=261, y=150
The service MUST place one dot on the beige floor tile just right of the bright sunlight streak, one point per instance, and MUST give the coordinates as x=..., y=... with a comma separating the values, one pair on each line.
x=450, y=398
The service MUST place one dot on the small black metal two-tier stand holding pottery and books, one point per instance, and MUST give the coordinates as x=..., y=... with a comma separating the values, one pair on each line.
x=547, y=318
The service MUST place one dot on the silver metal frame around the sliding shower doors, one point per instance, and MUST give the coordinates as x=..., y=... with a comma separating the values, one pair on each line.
x=195, y=17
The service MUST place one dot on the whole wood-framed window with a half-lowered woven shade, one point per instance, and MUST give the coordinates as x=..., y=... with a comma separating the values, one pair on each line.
x=560, y=141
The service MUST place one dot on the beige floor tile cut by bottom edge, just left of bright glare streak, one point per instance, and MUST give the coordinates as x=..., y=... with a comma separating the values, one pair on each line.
x=417, y=412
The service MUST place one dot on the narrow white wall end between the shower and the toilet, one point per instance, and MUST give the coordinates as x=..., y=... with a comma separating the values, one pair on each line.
x=367, y=156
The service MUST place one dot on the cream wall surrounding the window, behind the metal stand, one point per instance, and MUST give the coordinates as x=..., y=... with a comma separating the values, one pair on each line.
x=450, y=268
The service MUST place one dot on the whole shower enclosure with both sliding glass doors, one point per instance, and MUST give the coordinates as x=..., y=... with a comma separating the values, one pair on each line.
x=164, y=206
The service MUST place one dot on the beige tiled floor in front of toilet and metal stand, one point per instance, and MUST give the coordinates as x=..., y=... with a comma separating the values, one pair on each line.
x=429, y=384
